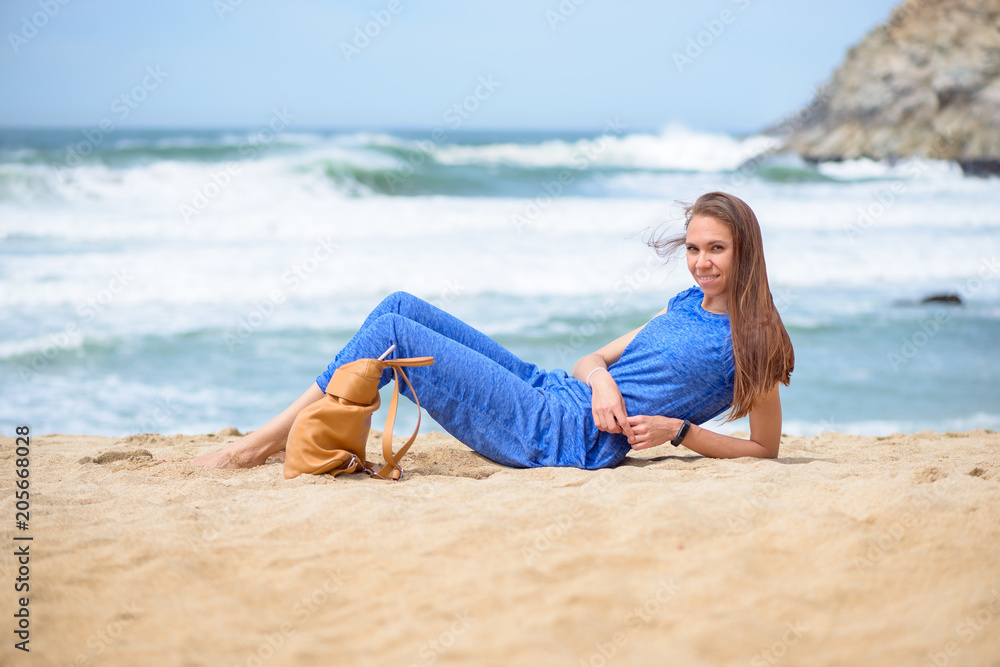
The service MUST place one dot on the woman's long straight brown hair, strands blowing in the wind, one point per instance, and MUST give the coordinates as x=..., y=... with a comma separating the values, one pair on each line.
x=762, y=350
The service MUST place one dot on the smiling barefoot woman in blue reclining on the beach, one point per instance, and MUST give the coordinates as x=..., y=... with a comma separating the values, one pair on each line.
x=718, y=345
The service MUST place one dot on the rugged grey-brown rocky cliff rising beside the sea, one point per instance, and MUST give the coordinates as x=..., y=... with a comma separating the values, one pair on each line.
x=924, y=84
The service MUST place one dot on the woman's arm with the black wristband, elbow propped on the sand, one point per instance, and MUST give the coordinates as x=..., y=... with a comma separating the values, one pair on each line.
x=765, y=432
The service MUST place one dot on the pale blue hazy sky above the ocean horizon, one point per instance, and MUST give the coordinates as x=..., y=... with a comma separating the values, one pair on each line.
x=723, y=65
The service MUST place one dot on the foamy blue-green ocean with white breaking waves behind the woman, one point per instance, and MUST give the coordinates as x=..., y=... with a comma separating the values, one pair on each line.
x=183, y=281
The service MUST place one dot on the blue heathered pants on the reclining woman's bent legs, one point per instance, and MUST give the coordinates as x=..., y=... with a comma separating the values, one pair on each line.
x=506, y=409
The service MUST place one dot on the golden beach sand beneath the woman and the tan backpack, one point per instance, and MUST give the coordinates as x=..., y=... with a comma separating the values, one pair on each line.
x=845, y=550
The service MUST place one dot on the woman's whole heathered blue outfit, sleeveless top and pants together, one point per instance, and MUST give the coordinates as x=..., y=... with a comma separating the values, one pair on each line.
x=511, y=411
